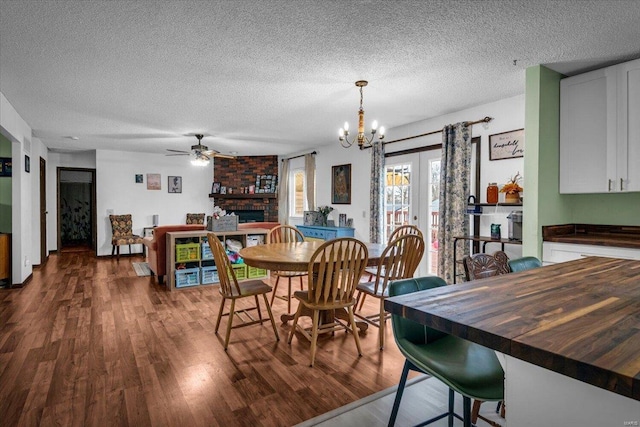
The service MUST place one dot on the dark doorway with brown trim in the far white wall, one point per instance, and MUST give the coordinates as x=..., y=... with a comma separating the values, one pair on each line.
x=76, y=210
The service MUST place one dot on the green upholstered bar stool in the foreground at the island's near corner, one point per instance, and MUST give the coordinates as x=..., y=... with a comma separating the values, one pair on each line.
x=466, y=367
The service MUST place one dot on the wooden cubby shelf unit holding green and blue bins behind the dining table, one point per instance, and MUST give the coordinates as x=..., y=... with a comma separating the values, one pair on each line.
x=190, y=261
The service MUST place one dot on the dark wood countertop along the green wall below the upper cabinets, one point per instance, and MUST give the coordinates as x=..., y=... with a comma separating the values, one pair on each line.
x=602, y=235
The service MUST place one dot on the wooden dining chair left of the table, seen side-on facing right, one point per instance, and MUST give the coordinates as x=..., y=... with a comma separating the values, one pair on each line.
x=231, y=289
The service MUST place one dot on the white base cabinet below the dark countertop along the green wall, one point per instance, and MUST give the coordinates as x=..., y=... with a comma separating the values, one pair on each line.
x=554, y=252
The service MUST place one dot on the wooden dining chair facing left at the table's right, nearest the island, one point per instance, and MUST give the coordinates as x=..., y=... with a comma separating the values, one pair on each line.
x=399, y=260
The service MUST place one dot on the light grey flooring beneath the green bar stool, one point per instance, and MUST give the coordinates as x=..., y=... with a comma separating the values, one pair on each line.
x=424, y=397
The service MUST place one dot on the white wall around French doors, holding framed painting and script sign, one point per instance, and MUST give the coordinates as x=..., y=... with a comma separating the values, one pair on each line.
x=507, y=114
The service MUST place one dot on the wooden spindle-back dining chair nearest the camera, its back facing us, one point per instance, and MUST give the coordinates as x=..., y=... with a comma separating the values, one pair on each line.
x=334, y=270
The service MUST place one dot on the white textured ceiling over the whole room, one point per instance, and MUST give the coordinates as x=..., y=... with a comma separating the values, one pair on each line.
x=276, y=77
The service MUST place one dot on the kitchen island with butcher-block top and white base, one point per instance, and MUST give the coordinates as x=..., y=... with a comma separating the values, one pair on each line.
x=569, y=336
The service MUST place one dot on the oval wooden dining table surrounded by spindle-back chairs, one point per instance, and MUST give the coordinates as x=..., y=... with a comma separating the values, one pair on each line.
x=295, y=256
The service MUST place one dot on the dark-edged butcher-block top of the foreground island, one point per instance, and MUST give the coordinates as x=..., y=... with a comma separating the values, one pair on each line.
x=579, y=318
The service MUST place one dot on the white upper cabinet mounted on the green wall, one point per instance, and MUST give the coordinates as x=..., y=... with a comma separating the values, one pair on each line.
x=600, y=130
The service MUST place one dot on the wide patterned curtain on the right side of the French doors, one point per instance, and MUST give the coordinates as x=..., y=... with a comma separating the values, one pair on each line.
x=454, y=192
